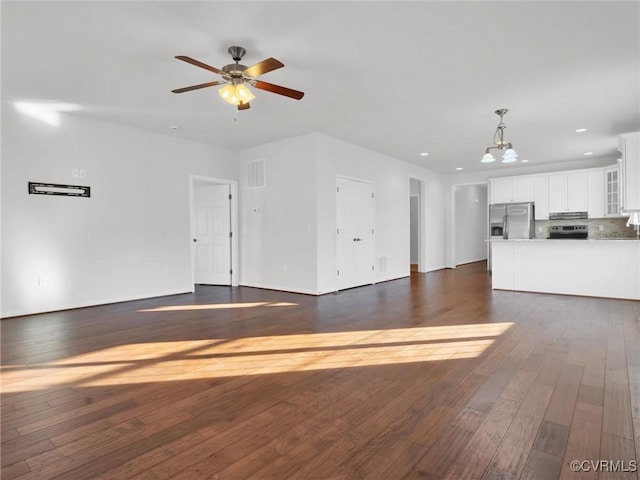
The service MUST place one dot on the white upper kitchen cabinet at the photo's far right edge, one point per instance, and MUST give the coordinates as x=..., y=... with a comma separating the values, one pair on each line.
x=629, y=146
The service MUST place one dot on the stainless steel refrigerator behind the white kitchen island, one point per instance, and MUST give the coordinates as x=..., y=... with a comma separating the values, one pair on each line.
x=510, y=221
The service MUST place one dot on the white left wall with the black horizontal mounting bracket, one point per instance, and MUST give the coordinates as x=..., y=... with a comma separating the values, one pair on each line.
x=129, y=240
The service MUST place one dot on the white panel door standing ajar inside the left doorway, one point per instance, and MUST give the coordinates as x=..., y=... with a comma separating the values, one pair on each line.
x=212, y=234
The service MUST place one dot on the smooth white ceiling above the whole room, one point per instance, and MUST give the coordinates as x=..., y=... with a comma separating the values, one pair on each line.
x=400, y=78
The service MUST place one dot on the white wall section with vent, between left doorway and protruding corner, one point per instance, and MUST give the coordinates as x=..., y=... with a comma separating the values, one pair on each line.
x=278, y=246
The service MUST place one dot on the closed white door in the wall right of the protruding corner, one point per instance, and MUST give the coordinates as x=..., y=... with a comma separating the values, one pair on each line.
x=355, y=253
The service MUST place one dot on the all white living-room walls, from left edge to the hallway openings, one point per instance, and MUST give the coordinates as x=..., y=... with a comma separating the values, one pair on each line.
x=131, y=239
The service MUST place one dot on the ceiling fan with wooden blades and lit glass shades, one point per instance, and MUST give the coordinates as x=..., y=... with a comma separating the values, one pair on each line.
x=235, y=76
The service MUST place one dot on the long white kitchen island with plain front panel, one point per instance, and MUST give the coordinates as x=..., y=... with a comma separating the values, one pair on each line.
x=599, y=268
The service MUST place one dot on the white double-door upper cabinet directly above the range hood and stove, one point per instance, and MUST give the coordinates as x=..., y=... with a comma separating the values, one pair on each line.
x=568, y=192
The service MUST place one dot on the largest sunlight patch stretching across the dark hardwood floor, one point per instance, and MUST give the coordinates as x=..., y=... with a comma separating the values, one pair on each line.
x=215, y=358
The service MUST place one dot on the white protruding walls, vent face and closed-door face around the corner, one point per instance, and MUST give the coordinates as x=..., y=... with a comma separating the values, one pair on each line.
x=288, y=228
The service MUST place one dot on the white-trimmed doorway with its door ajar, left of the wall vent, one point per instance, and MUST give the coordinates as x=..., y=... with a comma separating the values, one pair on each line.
x=214, y=221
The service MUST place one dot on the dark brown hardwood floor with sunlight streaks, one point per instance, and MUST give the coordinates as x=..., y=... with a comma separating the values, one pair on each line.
x=430, y=377
